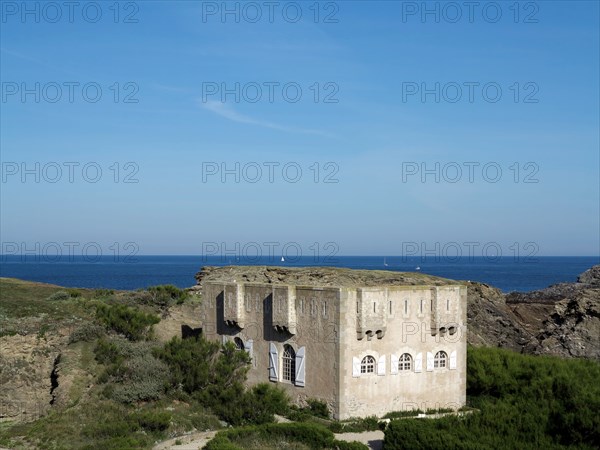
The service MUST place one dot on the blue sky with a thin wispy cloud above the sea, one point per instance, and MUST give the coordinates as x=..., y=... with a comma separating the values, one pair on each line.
x=370, y=140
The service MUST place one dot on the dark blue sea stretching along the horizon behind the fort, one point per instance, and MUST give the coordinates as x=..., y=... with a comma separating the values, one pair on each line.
x=505, y=273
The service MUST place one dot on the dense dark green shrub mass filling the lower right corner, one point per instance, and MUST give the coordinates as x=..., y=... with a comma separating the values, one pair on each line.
x=525, y=402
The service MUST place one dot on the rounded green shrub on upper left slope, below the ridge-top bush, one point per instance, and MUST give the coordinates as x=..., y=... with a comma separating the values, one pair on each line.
x=131, y=322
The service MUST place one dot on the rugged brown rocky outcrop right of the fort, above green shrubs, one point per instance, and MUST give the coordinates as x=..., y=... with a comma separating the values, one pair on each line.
x=561, y=320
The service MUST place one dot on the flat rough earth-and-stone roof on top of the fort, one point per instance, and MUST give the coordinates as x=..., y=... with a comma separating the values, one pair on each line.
x=318, y=276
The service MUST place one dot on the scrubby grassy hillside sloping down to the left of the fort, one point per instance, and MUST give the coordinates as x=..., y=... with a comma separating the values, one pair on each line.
x=92, y=406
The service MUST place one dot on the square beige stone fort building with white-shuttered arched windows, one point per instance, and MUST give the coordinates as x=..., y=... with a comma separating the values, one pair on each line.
x=365, y=342
